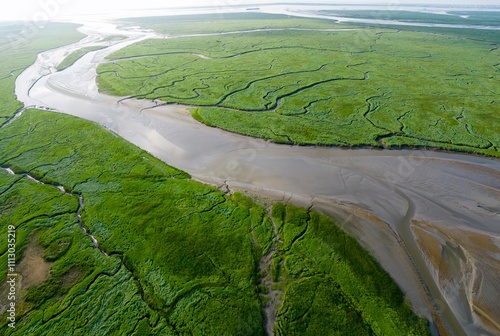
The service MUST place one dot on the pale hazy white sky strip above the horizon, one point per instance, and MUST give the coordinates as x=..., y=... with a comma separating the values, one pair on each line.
x=39, y=10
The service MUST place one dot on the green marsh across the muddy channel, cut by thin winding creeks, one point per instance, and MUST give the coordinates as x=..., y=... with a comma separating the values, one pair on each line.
x=370, y=87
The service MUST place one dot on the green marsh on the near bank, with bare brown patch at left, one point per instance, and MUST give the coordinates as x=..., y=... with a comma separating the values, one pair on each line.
x=125, y=244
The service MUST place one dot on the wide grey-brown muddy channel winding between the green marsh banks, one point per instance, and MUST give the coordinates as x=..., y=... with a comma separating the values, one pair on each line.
x=383, y=190
